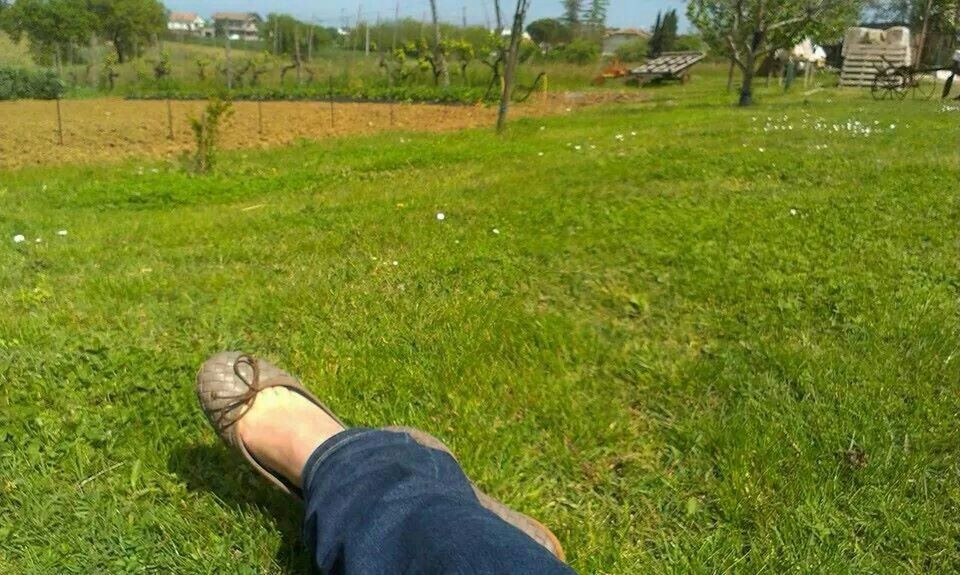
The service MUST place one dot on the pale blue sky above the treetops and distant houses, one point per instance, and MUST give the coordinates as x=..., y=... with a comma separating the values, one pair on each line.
x=622, y=13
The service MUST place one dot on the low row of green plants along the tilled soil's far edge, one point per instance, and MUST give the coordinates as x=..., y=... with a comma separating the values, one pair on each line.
x=431, y=94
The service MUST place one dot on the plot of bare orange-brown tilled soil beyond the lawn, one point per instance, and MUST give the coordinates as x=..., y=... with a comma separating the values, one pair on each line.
x=106, y=129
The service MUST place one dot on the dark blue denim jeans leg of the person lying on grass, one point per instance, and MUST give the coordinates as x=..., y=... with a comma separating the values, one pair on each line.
x=379, y=503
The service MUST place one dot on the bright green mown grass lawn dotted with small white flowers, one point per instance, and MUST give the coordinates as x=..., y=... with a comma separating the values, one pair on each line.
x=705, y=348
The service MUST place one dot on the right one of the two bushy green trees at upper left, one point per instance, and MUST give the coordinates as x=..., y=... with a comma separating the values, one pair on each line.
x=128, y=23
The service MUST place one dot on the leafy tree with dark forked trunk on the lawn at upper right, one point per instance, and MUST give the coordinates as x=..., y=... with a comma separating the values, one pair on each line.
x=747, y=30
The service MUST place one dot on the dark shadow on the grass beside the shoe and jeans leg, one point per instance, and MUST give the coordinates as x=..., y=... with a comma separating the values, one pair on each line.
x=213, y=469
